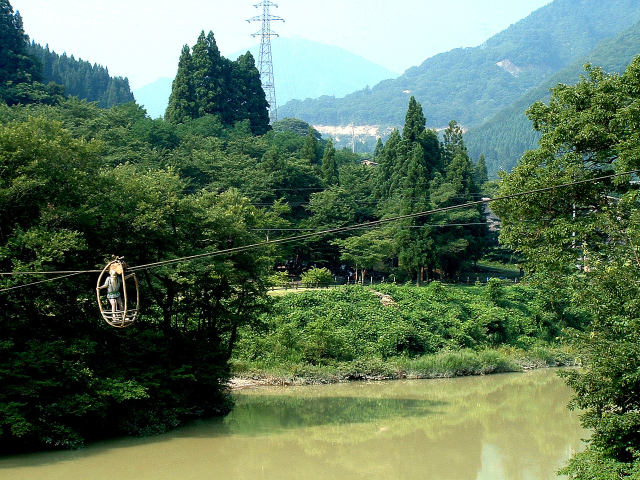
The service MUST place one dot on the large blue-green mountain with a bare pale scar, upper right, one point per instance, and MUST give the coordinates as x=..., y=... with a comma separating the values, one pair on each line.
x=471, y=85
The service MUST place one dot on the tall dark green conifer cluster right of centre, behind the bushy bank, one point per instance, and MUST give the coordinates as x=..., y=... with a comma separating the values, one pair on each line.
x=416, y=173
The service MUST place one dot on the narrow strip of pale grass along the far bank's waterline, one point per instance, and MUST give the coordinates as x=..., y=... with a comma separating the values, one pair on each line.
x=441, y=365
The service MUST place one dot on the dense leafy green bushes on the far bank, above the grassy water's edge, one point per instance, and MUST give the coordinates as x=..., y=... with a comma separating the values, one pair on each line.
x=351, y=323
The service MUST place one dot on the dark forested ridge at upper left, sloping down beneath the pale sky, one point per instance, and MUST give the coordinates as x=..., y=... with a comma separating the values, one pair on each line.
x=81, y=79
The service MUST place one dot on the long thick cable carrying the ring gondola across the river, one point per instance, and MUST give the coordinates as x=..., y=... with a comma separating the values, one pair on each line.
x=342, y=229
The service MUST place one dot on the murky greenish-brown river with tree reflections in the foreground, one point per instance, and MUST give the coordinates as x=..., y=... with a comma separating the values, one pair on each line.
x=513, y=426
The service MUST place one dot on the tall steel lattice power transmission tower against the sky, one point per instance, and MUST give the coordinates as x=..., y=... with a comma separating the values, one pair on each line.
x=265, y=61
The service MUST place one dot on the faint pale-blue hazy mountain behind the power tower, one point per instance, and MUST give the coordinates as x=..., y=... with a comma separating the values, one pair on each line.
x=302, y=69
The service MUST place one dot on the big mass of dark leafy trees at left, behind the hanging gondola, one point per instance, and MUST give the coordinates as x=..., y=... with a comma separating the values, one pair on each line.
x=66, y=203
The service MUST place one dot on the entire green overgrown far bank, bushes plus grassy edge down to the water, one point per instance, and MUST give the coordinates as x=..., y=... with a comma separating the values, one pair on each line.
x=346, y=333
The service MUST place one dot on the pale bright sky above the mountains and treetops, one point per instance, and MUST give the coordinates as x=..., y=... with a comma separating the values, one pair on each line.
x=142, y=39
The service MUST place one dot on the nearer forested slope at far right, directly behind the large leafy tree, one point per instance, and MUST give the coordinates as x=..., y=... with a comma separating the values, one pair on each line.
x=505, y=137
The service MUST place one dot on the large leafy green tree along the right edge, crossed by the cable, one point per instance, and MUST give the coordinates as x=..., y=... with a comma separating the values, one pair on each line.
x=582, y=243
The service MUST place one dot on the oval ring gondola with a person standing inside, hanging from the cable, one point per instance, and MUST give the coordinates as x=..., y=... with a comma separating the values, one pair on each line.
x=122, y=311
